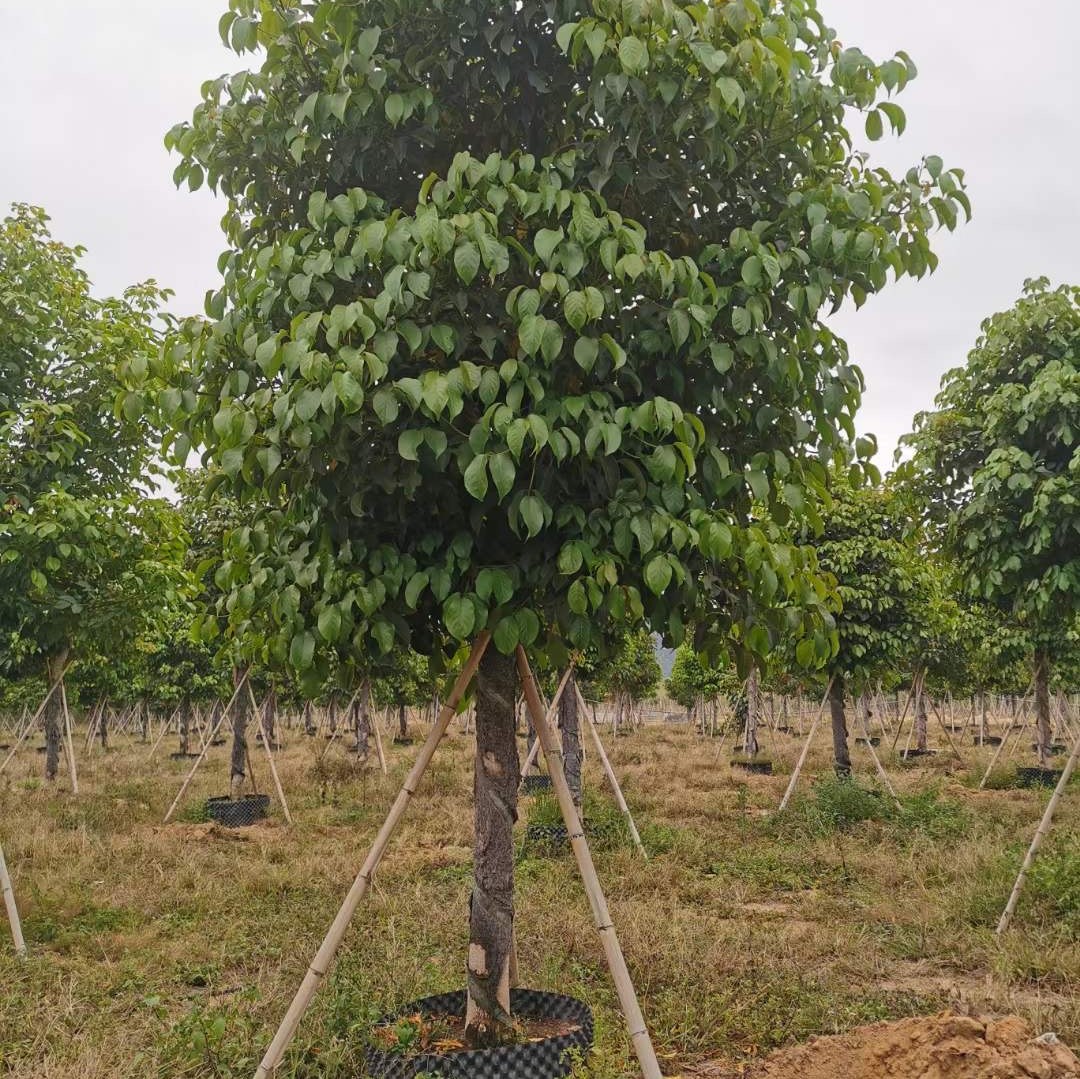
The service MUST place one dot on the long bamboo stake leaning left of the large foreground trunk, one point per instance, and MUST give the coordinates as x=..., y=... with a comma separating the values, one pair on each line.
x=319, y=967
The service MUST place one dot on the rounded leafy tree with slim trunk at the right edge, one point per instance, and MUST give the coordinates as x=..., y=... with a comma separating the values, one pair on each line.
x=1000, y=462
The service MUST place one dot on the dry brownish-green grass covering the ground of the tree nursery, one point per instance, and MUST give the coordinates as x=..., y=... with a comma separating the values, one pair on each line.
x=174, y=951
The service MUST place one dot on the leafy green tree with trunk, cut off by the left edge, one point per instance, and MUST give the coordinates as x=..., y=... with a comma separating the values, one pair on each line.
x=83, y=556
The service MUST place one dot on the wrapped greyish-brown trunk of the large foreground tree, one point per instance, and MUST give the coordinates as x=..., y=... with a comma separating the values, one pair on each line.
x=492, y=906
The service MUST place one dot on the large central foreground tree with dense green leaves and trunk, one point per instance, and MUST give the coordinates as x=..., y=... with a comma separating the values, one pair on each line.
x=514, y=344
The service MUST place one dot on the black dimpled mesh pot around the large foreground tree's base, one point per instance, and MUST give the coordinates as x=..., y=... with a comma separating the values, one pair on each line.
x=549, y=1059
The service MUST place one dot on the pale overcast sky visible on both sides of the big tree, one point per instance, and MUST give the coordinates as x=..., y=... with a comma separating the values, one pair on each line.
x=88, y=89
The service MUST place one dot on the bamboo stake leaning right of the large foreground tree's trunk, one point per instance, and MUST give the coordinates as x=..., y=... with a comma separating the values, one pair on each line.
x=617, y=964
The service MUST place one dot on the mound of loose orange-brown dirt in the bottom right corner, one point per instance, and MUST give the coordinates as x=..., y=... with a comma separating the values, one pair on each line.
x=941, y=1047
